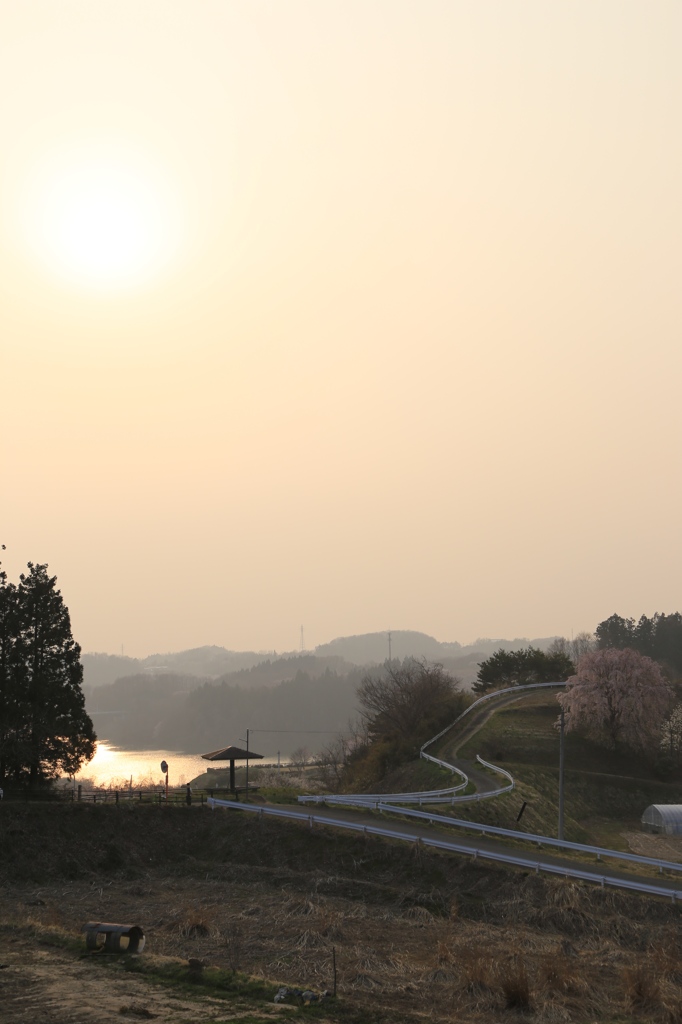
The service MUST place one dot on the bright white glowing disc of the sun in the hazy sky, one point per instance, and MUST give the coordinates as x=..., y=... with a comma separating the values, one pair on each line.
x=102, y=222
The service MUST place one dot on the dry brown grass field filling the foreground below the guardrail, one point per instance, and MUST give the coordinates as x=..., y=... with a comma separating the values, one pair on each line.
x=416, y=935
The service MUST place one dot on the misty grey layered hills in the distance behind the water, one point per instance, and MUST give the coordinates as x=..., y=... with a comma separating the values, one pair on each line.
x=184, y=702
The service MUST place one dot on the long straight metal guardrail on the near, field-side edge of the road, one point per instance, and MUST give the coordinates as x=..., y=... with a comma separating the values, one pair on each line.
x=634, y=885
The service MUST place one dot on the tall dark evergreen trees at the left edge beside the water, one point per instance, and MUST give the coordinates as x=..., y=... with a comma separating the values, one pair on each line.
x=46, y=730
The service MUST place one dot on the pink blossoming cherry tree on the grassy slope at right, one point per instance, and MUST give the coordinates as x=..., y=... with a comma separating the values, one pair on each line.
x=619, y=698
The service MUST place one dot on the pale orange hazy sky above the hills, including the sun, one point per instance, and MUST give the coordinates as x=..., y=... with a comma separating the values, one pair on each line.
x=351, y=315
